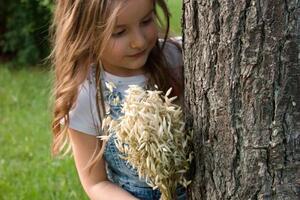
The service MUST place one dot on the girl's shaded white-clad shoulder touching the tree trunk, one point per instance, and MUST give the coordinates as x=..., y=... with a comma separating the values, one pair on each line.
x=173, y=52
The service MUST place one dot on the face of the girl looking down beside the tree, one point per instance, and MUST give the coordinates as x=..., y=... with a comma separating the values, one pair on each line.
x=133, y=37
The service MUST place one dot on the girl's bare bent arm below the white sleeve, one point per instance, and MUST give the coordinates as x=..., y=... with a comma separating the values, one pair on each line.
x=95, y=182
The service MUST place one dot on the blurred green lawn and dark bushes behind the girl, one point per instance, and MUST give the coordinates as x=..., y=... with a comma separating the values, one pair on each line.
x=27, y=170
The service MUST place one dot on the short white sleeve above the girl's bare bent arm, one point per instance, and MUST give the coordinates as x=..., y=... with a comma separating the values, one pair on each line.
x=84, y=117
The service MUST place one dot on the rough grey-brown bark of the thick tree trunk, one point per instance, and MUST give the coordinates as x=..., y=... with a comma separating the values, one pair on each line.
x=242, y=93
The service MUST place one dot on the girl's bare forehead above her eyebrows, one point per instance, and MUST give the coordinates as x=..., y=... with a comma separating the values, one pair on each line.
x=133, y=10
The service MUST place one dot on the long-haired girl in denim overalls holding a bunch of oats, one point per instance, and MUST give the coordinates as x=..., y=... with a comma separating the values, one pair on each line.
x=99, y=41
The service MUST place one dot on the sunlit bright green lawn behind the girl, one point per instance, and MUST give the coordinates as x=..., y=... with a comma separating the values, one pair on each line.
x=27, y=170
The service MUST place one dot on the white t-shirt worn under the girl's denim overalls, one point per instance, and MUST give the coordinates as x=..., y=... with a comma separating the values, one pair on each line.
x=84, y=116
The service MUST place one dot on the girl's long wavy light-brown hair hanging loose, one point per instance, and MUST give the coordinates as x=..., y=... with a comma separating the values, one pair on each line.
x=80, y=30
